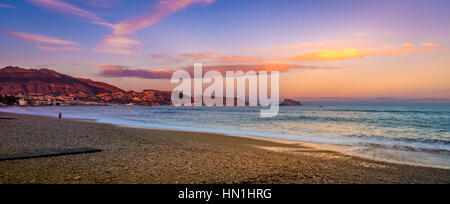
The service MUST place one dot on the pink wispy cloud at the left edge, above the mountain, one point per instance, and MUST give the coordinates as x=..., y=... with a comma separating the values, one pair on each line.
x=44, y=42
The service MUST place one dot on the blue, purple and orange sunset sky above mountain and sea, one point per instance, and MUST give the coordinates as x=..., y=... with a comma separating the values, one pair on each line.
x=323, y=48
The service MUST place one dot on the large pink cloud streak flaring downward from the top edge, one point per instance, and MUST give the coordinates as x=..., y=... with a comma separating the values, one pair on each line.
x=121, y=41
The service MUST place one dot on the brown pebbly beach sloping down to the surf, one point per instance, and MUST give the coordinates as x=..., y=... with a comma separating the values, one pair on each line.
x=133, y=155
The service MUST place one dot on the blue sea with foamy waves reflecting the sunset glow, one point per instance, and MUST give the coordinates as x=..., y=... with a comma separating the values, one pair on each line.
x=415, y=134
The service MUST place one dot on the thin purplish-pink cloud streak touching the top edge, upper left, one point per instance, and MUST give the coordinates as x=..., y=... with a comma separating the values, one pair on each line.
x=71, y=10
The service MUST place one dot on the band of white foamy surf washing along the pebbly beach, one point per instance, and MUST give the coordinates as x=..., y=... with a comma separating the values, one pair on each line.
x=372, y=150
